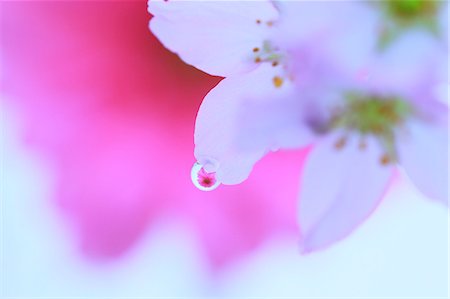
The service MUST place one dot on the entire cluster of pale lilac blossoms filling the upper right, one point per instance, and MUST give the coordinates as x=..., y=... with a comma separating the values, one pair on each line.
x=362, y=89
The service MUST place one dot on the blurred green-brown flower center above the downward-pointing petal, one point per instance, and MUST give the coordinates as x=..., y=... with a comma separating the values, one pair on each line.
x=372, y=115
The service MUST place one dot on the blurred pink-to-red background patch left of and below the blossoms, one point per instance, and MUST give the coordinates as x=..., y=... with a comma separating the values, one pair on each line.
x=113, y=111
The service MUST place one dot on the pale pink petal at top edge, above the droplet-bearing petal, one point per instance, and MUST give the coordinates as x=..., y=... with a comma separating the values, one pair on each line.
x=217, y=37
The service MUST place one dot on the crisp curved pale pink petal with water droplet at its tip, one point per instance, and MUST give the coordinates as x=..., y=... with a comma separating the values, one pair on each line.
x=217, y=126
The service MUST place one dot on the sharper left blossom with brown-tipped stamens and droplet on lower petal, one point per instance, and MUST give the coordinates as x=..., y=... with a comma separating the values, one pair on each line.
x=257, y=46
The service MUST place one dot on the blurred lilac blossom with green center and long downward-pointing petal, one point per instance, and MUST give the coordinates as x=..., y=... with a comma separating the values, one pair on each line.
x=392, y=118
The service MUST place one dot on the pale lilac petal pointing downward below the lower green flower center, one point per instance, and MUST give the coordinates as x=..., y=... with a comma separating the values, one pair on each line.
x=338, y=190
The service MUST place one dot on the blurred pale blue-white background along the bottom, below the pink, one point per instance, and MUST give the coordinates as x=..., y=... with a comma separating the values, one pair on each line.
x=401, y=251
